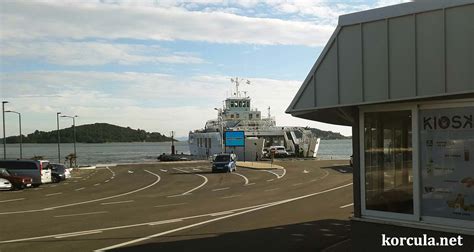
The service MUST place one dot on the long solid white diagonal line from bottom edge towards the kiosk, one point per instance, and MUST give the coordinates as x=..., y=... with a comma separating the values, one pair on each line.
x=219, y=218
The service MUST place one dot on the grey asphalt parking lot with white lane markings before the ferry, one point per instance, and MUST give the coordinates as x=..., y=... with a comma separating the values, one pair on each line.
x=183, y=206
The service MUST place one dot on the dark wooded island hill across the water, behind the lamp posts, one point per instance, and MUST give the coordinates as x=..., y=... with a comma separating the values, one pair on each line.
x=92, y=133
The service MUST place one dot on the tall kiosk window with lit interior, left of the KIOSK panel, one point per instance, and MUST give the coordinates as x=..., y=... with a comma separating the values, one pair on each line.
x=388, y=161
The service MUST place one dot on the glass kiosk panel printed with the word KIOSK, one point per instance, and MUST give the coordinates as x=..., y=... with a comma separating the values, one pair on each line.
x=447, y=162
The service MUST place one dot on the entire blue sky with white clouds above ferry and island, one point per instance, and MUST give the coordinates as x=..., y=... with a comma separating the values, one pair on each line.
x=159, y=65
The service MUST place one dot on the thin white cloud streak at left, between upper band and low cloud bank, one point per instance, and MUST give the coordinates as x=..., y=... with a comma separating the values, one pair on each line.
x=93, y=53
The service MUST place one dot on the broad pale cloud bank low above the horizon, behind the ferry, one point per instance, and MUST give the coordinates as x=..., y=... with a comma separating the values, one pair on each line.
x=135, y=99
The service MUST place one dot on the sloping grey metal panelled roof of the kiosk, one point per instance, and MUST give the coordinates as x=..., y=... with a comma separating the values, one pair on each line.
x=402, y=52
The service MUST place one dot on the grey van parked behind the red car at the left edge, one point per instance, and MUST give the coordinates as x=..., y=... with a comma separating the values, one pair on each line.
x=38, y=170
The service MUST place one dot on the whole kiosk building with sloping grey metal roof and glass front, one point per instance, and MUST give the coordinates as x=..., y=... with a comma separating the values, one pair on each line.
x=402, y=77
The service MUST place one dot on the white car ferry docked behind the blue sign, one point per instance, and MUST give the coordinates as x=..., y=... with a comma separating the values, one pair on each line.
x=261, y=134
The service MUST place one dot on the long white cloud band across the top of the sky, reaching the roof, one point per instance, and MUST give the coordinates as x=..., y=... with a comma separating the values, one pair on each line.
x=29, y=20
